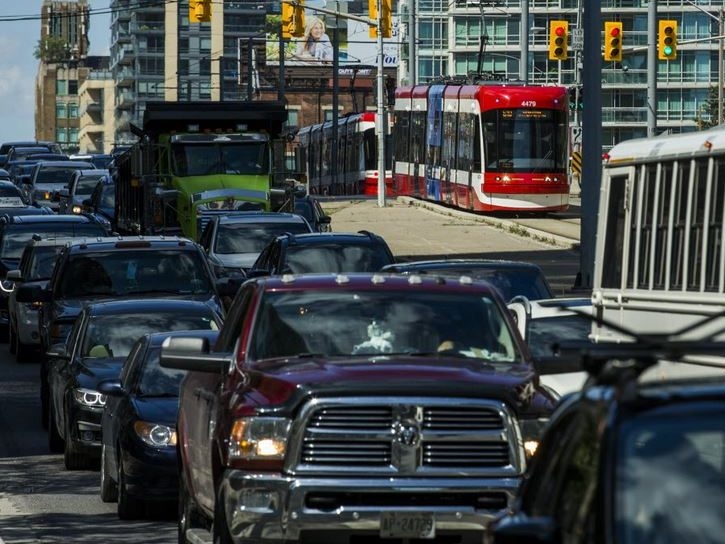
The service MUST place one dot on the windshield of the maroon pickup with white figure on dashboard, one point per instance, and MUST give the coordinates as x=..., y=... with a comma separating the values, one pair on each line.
x=381, y=322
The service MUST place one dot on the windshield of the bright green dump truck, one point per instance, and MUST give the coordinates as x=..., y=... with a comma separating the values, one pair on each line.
x=220, y=158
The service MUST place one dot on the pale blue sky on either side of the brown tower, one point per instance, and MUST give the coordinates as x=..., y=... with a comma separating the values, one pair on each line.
x=19, y=35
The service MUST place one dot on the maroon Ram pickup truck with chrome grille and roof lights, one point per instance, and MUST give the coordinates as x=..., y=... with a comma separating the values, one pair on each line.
x=354, y=407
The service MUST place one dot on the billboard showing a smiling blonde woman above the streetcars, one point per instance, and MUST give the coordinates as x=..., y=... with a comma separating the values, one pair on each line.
x=325, y=34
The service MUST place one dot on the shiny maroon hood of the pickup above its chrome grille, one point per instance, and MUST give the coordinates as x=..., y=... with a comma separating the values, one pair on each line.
x=289, y=382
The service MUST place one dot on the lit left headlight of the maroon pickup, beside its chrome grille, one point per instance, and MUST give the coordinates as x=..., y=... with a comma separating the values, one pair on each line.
x=259, y=439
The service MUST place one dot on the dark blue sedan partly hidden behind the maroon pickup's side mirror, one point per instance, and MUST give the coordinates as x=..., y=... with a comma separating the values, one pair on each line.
x=138, y=427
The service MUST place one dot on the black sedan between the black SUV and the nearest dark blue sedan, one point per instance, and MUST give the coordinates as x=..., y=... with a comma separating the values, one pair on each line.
x=99, y=342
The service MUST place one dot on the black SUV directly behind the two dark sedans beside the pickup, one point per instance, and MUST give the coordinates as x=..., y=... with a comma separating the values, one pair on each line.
x=116, y=267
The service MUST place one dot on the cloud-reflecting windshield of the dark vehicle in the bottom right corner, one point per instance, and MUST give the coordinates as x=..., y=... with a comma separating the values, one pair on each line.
x=671, y=478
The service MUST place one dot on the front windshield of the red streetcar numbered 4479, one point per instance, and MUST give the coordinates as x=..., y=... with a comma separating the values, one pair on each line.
x=525, y=140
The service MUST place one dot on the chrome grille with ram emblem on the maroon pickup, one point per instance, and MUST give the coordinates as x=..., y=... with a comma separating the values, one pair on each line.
x=407, y=437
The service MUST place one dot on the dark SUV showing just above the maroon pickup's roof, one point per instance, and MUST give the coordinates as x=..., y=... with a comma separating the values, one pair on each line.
x=323, y=252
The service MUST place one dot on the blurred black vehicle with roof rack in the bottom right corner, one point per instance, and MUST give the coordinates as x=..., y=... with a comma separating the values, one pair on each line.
x=634, y=457
